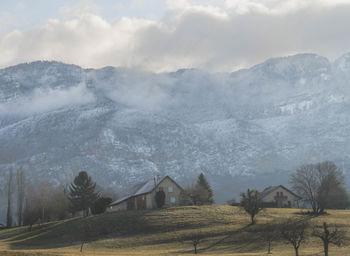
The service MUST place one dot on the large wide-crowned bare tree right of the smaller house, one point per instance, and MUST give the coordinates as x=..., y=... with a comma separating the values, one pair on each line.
x=321, y=185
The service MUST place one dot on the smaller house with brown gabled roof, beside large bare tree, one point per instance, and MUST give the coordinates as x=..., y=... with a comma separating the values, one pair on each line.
x=279, y=196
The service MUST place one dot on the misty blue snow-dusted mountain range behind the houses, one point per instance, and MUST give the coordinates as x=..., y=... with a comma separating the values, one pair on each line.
x=248, y=128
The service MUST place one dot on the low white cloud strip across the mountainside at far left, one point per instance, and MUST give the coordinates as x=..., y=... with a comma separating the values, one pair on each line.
x=43, y=100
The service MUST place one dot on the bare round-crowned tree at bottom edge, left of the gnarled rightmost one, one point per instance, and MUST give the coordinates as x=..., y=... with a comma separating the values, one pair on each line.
x=294, y=231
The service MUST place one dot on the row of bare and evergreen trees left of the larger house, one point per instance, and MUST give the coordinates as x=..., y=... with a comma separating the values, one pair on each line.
x=45, y=201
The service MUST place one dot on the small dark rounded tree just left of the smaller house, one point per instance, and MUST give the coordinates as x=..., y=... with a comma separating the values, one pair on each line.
x=251, y=203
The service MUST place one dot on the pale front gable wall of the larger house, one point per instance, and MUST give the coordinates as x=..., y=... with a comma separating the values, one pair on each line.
x=169, y=196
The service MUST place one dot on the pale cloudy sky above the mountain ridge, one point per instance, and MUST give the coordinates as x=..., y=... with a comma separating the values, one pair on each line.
x=164, y=36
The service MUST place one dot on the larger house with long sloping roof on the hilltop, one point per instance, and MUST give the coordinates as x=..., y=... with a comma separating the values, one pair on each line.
x=143, y=195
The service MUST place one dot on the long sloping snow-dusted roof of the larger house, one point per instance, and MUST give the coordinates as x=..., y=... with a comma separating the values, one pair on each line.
x=143, y=188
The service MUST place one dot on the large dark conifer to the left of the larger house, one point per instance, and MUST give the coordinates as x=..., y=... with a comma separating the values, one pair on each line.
x=82, y=193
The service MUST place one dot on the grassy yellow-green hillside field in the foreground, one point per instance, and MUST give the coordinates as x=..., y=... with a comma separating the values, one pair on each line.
x=224, y=230
